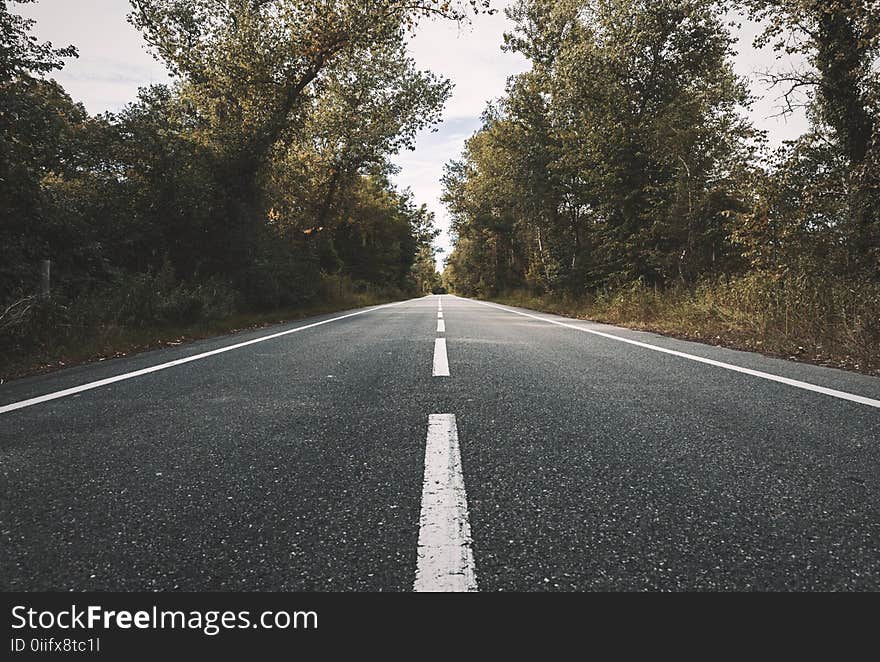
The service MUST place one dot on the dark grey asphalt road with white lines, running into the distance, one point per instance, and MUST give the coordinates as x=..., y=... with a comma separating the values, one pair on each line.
x=553, y=459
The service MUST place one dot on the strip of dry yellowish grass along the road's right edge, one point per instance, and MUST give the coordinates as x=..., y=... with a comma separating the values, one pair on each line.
x=818, y=320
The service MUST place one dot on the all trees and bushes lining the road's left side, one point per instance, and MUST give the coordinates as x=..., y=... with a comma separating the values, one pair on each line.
x=255, y=186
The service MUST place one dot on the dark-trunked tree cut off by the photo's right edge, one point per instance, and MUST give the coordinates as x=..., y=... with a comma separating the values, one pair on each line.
x=840, y=40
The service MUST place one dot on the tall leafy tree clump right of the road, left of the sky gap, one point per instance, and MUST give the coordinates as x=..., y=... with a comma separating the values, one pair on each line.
x=617, y=157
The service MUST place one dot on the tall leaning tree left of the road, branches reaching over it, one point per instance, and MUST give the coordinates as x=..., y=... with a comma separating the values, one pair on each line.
x=249, y=69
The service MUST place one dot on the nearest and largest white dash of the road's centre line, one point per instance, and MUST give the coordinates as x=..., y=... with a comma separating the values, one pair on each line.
x=445, y=559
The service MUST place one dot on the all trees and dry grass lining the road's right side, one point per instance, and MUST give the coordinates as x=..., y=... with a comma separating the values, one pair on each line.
x=619, y=180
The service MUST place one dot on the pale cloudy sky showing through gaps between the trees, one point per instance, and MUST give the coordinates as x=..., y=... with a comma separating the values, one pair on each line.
x=113, y=64
